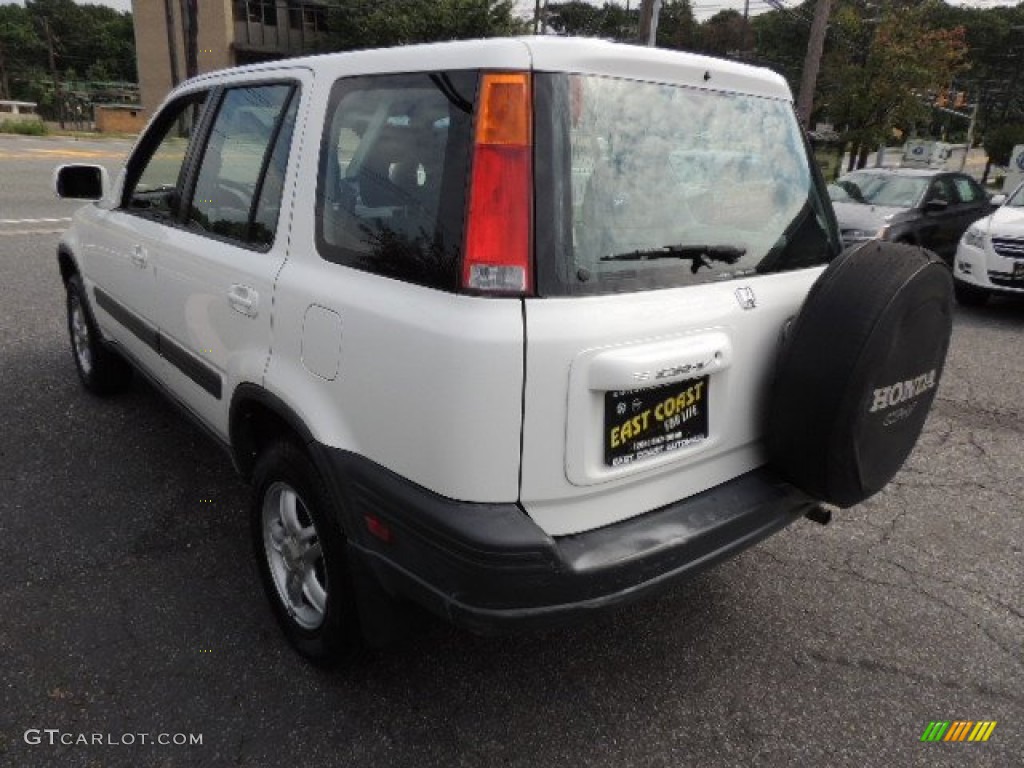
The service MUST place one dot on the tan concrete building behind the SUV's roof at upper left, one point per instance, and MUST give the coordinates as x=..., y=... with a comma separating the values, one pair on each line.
x=230, y=33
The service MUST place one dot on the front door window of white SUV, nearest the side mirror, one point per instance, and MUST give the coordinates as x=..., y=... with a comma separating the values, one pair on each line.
x=155, y=175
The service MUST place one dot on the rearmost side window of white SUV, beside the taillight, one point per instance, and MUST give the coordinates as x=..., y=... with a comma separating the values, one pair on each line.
x=395, y=157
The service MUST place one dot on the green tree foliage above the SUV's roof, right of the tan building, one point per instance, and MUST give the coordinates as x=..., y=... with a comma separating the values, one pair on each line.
x=371, y=24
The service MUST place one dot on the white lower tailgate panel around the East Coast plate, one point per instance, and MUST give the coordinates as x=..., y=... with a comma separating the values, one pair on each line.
x=567, y=489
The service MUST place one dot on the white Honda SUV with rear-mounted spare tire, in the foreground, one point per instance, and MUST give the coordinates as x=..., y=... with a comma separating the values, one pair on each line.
x=459, y=316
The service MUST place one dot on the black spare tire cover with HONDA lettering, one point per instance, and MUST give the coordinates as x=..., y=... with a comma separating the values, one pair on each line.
x=859, y=371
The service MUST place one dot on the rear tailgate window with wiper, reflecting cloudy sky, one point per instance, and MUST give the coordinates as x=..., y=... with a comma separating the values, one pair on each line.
x=645, y=186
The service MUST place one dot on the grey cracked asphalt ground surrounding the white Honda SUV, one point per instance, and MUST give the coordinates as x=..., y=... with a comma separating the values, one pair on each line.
x=132, y=609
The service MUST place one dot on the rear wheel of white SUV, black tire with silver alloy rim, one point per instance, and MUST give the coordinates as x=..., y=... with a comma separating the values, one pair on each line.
x=302, y=553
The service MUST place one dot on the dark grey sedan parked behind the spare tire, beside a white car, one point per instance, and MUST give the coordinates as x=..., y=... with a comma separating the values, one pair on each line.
x=927, y=208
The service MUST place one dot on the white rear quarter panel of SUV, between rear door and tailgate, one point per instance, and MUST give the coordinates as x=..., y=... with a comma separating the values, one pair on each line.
x=431, y=385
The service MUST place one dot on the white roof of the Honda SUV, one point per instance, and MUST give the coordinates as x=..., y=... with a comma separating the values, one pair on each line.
x=541, y=54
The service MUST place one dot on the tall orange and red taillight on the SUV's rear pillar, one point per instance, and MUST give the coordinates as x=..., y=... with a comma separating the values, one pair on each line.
x=499, y=226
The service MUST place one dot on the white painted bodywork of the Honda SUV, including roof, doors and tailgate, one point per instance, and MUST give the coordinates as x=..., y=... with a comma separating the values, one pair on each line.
x=432, y=385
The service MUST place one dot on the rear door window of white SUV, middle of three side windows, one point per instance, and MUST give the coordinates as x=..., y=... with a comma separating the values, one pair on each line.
x=231, y=174
